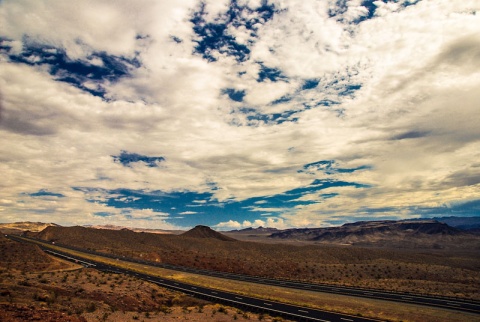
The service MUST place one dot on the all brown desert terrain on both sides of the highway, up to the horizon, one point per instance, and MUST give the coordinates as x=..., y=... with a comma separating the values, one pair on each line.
x=423, y=258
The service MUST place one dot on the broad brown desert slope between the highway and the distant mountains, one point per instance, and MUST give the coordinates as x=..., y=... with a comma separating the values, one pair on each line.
x=432, y=271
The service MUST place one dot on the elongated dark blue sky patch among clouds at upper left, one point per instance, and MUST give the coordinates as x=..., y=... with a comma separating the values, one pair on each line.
x=75, y=72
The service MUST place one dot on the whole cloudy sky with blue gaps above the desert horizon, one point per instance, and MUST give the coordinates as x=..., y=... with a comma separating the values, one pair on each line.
x=236, y=114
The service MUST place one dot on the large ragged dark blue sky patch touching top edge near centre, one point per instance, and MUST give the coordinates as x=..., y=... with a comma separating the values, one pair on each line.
x=213, y=37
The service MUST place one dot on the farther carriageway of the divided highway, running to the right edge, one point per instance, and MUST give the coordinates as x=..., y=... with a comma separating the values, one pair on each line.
x=441, y=302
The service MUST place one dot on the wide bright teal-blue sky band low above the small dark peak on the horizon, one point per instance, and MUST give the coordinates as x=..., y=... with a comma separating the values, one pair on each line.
x=190, y=208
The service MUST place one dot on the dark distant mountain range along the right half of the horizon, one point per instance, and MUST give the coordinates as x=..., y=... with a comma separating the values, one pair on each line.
x=418, y=233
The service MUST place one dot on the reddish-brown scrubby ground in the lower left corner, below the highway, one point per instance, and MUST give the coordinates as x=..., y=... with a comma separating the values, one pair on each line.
x=39, y=295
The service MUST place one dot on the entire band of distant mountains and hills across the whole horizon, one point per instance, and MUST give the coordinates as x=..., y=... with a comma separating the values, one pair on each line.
x=425, y=233
